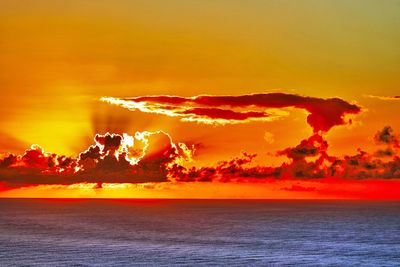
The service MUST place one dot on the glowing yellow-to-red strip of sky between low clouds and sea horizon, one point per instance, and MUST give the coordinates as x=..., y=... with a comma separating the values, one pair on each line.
x=287, y=189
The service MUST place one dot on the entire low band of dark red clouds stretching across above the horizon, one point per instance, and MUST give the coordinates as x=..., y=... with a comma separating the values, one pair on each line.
x=153, y=157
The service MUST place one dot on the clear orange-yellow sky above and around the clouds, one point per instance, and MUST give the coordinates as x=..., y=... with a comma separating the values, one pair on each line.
x=58, y=58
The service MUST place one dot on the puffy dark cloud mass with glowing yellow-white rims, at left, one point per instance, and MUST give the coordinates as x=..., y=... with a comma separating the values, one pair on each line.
x=114, y=158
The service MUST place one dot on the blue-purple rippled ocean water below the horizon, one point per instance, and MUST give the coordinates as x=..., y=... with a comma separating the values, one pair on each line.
x=198, y=233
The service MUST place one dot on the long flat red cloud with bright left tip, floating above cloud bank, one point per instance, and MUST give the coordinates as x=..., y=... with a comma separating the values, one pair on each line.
x=323, y=113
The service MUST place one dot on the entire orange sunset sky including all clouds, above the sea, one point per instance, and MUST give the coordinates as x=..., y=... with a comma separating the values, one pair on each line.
x=72, y=69
